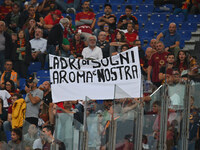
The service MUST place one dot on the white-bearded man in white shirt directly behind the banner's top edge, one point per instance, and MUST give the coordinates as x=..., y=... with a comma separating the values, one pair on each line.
x=92, y=51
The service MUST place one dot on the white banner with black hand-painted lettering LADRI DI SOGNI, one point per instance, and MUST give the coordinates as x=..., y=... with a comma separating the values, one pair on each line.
x=73, y=79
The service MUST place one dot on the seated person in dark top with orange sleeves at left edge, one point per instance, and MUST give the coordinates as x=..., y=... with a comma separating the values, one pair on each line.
x=9, y=74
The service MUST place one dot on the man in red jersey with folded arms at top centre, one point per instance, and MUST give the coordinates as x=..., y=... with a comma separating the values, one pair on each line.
x=85, y=20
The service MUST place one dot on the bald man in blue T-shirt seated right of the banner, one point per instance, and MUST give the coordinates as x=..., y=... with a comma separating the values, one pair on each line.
x=171, y=39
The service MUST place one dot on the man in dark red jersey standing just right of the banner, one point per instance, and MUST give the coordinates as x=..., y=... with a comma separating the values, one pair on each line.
x=157, y=60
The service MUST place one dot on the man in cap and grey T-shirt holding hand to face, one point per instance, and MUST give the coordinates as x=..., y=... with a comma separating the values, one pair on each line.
x=33, y=99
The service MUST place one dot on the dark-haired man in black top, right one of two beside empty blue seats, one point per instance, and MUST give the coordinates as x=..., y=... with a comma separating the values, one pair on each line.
x=127, y=18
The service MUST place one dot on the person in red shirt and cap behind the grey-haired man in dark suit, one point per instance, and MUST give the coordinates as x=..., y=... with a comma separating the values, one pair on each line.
x=52, y=19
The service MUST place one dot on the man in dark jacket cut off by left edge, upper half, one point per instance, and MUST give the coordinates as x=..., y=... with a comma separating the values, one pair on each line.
x=5, y=45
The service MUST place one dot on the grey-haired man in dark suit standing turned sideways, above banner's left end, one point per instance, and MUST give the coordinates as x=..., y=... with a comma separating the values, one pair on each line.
x=55, y=37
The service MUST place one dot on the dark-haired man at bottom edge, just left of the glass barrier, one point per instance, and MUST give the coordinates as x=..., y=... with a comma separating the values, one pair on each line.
x=49, y=139
